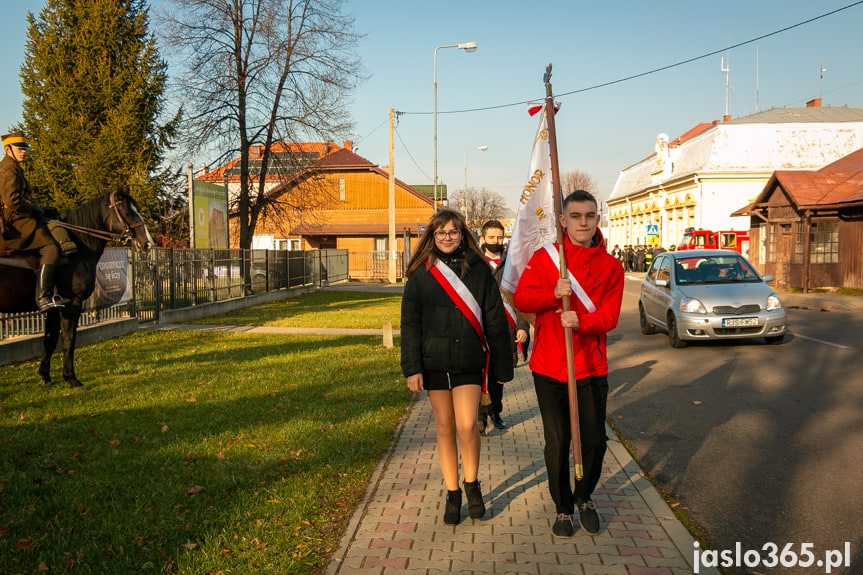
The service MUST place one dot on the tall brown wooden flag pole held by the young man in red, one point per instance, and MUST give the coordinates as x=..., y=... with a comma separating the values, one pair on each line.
x=578, y=467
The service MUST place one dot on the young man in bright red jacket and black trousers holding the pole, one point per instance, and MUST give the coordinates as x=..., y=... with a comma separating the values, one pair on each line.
x=595, y=287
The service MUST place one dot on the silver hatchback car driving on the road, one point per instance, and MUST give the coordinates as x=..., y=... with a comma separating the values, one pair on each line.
x=709, y=294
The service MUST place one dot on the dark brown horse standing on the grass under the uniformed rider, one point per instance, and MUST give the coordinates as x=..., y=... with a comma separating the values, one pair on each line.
x=112, y=215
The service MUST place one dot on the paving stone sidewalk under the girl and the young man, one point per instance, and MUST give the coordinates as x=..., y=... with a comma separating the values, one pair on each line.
x=399, y=526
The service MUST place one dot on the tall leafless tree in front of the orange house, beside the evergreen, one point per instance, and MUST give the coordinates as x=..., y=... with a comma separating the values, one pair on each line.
x=260, y=72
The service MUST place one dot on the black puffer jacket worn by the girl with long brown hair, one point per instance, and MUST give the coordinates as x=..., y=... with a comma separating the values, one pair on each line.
x=435, y=334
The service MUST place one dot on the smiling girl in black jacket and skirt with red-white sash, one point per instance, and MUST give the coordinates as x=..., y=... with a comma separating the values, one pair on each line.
x=443, y=354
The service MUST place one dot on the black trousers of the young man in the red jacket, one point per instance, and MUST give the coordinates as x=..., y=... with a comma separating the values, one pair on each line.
x=553, y=399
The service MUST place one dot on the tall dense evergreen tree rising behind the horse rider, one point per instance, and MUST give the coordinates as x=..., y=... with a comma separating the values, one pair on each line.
x=93, y=85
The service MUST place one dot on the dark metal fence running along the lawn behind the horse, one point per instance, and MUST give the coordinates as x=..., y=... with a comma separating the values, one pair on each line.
x=171, y=278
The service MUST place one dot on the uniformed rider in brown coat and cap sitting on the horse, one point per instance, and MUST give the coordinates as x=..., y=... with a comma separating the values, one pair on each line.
x=22, y=226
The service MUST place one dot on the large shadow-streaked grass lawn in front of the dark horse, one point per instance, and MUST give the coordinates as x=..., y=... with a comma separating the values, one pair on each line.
x=195, y=452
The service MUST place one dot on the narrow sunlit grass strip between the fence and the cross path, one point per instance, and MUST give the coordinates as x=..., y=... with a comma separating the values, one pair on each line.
x=320, y=309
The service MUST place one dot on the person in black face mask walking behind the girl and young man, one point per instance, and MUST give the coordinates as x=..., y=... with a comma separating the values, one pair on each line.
x=491, y=243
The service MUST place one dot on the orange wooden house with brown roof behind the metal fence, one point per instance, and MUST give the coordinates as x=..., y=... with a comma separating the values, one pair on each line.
x=327, y=197
